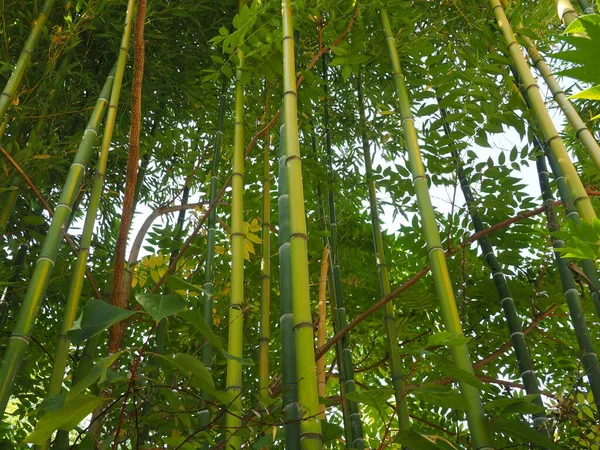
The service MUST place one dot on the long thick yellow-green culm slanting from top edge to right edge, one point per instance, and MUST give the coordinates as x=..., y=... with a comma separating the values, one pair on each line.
x=551, y=137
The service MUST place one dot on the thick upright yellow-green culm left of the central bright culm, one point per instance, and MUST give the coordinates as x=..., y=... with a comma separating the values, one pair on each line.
x=236, y=316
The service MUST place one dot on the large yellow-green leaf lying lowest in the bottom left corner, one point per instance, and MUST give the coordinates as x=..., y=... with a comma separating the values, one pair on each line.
x=66, y=418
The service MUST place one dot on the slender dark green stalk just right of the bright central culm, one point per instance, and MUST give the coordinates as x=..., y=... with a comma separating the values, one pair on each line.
x=345, y=357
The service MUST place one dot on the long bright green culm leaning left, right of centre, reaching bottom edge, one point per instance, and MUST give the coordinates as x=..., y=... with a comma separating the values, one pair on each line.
x=478, y=426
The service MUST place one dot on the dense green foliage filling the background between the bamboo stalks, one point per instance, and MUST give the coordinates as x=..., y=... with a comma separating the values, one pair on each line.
x=469, y=114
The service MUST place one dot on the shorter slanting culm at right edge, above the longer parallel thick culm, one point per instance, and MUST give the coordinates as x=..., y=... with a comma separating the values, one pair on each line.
x=579, y=127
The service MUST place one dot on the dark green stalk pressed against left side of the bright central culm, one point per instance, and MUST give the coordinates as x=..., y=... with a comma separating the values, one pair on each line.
x=291, y=411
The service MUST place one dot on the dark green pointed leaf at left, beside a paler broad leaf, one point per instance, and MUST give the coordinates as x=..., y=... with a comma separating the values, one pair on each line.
x=96, y=316
